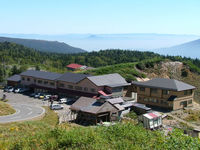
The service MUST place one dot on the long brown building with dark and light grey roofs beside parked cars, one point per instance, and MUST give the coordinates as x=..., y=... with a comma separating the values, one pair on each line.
x=74, y=84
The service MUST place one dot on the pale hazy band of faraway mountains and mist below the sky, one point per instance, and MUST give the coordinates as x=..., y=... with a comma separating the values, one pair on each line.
x=132, y=41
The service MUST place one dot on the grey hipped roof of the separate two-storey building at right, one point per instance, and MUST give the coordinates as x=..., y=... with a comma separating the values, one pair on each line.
x=163, y=83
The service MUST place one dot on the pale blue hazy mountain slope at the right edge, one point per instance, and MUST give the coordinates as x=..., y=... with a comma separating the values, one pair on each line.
x=189, y=49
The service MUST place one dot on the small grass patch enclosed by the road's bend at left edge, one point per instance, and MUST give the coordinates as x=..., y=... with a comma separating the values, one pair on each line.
x=5, y=109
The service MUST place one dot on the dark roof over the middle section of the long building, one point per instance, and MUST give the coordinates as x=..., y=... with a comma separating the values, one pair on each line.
x=72, y=77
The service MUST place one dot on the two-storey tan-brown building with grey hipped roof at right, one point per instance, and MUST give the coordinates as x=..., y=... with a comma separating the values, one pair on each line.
x=166, y=93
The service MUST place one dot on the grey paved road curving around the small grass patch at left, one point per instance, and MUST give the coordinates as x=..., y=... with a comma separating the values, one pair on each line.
x=26, y=108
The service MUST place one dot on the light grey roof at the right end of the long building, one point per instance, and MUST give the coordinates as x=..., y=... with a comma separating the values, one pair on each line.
x=109, y=79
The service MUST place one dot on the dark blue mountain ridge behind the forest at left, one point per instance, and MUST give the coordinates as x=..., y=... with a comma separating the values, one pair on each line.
x=45, y=46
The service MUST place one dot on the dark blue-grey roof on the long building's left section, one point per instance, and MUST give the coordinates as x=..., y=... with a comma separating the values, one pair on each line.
x=41, y=74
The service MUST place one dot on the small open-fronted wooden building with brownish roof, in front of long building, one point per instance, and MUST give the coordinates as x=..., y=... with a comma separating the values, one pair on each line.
x=93, y=111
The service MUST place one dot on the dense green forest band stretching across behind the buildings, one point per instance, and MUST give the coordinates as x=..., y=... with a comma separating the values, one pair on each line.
x=17, y=58
